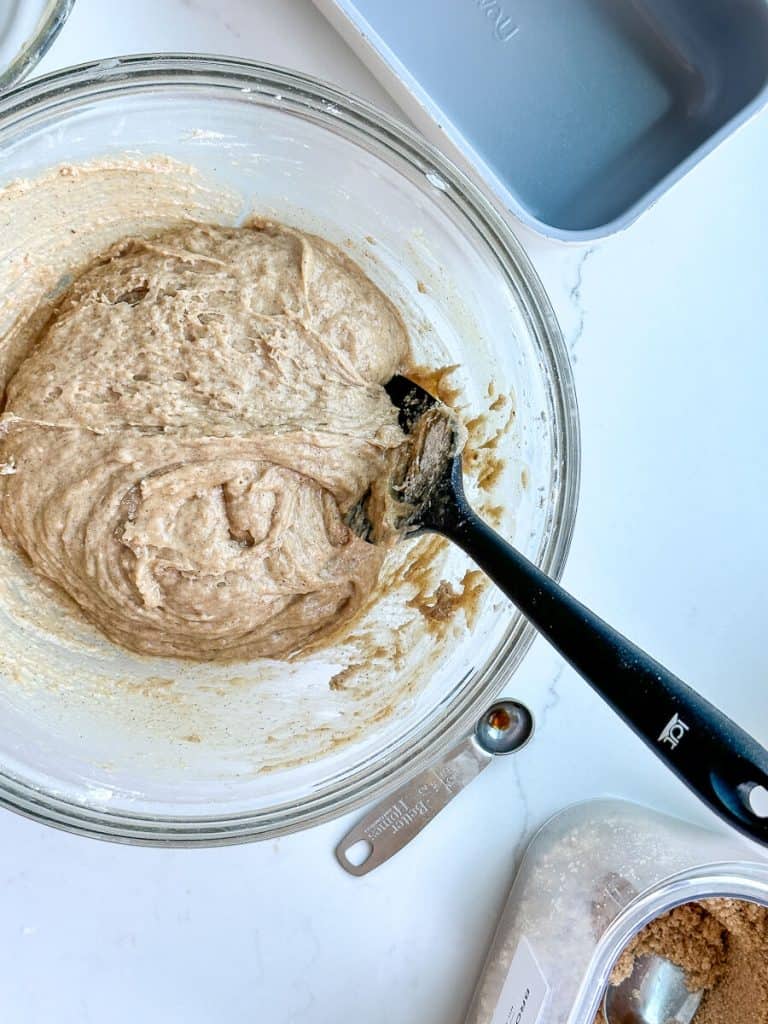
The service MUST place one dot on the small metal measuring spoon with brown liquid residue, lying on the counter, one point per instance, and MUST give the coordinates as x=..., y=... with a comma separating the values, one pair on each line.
x=505, y=728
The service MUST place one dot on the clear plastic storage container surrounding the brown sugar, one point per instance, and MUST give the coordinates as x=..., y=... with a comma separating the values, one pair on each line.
x=591, y=879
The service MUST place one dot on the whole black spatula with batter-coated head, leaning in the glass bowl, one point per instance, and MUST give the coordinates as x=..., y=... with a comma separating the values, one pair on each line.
x=715, y=758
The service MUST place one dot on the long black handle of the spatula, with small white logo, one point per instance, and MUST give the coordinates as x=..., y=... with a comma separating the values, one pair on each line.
x=720, y=762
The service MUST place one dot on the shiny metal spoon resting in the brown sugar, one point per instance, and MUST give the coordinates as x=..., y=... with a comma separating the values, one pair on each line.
x=656, y=993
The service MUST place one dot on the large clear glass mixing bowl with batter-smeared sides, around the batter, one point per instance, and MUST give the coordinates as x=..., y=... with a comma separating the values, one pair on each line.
x=164, y=749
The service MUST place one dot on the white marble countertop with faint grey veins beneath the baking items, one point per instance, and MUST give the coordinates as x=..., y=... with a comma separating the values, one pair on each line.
x=667, y=327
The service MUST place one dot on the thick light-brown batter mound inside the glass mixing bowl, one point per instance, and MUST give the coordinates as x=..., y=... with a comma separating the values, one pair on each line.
x=184, y=441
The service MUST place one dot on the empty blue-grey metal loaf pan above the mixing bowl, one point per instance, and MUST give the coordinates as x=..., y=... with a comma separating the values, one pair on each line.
x=578, y=114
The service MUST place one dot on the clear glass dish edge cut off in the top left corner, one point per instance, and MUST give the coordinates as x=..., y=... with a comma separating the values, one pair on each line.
x=27, y=30
